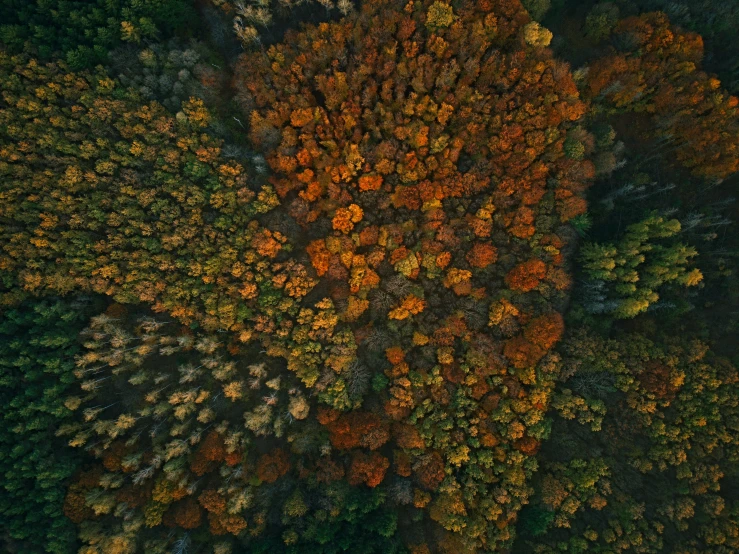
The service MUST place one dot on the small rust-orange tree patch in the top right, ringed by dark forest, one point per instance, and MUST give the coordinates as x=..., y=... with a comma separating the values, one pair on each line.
x=656, y=69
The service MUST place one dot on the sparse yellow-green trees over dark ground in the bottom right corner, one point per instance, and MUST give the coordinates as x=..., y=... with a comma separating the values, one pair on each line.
x=641, y=477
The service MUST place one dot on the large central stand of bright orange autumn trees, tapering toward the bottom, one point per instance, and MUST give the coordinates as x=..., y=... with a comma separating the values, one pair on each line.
x=421, y=145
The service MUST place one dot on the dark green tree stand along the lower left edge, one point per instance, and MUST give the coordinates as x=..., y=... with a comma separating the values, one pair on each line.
x=38, y=343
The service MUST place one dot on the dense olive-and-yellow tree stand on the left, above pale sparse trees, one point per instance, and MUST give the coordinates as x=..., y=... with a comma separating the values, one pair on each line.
x=148, y=179
